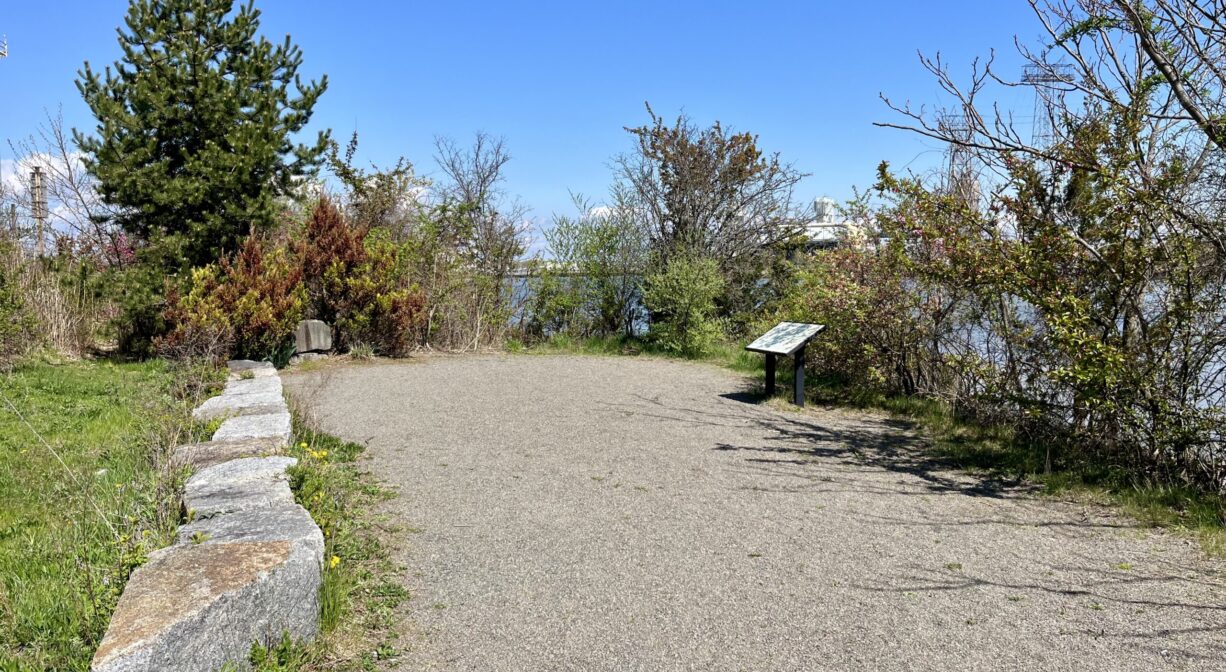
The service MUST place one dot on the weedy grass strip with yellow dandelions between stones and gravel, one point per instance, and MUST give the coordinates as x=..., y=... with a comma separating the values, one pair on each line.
x=362, y=588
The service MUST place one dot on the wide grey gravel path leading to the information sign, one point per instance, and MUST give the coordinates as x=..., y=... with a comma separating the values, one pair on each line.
x=621, y=514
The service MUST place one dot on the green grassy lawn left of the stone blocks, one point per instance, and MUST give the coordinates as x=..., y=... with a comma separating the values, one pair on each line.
x=85, y=496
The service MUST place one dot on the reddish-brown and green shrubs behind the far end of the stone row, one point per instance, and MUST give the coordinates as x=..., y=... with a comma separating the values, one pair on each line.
x=249, y=306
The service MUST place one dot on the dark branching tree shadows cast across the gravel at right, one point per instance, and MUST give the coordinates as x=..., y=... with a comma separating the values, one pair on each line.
x=838, y=452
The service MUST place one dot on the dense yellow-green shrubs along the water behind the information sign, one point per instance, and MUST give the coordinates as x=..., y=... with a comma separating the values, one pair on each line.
x=1115, y=359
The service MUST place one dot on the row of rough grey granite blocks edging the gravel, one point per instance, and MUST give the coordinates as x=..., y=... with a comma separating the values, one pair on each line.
x=248, y=565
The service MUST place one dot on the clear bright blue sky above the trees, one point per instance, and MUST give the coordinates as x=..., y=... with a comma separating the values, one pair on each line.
x=561, y=80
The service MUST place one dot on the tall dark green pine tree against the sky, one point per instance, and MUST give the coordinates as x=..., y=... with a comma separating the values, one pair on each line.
x=196, y=127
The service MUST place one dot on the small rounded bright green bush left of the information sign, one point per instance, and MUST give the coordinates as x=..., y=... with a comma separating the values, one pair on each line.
x=681, y=300
